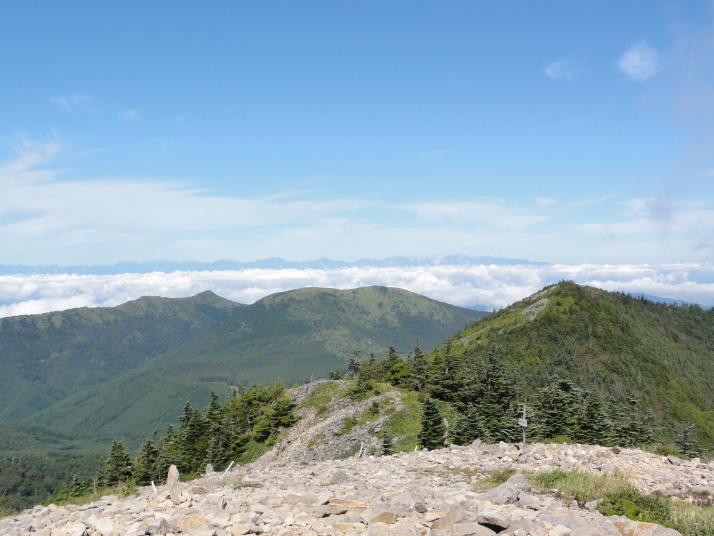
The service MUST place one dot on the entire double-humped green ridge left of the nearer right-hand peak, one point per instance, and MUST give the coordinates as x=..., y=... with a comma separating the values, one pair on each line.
x=293, y=335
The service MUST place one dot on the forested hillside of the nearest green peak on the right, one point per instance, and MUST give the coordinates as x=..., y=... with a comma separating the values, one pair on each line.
x=648, y=363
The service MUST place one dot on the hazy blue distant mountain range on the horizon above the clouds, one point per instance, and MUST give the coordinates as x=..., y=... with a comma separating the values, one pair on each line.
x=272, y=263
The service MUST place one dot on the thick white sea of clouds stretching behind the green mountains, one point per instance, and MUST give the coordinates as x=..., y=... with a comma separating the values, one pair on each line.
x=483, y=287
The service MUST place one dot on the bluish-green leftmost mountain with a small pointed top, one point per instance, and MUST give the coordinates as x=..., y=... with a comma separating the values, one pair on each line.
x=46, y=358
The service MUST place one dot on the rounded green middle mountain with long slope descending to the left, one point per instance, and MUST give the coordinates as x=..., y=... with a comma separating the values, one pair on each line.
x=292, y=335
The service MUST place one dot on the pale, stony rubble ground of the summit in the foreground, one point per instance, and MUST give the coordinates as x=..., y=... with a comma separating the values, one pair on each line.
x=437, y=493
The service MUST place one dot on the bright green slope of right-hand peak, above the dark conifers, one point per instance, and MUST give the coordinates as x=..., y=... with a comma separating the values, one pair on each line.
x=625, y=347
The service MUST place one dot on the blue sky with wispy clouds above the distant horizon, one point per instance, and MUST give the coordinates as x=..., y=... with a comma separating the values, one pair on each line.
x=555, y=131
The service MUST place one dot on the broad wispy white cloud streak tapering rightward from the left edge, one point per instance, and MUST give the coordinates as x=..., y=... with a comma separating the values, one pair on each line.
x=35, y=205
